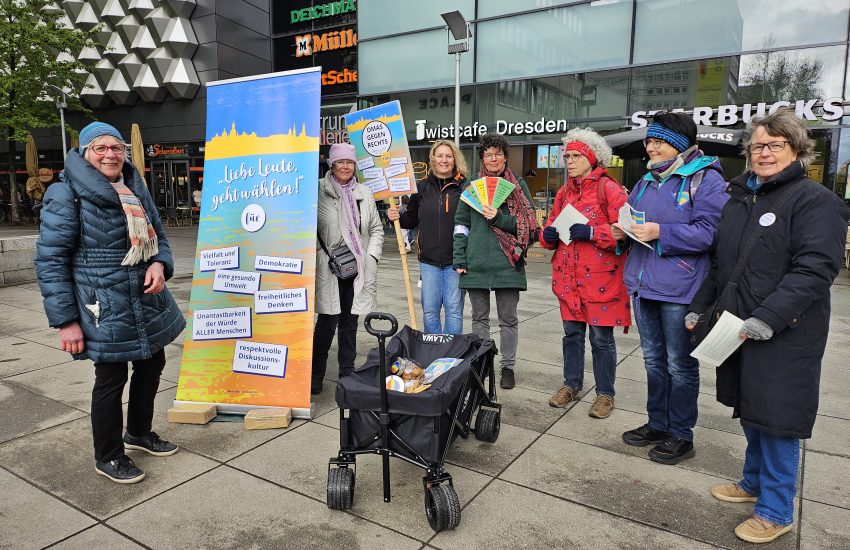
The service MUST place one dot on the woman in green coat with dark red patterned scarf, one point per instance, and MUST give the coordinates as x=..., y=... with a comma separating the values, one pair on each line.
x=489, y=253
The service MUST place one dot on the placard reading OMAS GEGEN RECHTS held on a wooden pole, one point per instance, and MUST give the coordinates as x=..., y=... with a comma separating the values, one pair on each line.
x=380, y=143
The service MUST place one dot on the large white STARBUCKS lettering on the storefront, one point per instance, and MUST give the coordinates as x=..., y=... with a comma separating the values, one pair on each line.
x=727, y=115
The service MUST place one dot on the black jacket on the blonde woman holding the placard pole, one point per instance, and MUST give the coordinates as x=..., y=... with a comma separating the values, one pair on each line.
x=432, y=210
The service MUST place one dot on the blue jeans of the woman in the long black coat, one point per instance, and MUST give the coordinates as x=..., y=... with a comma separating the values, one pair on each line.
x=770, y=473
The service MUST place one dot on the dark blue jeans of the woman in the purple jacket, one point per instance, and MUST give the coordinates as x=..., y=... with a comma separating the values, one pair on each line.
x=672, y=375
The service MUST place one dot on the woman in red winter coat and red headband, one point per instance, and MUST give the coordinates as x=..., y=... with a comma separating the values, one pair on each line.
x=587, y=274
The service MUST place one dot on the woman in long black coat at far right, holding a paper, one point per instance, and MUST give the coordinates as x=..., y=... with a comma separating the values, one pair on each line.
x=773, y=381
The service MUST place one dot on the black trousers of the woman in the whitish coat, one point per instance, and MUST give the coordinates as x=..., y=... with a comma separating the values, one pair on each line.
x=326, y=325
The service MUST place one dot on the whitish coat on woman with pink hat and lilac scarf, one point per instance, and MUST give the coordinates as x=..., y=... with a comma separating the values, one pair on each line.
x=371, y=239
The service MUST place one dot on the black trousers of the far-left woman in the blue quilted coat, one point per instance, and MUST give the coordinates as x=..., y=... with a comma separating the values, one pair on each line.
x=106, y=414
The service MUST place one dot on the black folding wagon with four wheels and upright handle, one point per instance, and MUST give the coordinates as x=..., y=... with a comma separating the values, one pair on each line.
x=417, y=428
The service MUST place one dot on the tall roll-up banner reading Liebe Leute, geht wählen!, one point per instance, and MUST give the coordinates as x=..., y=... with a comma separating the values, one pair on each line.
x=250, y=324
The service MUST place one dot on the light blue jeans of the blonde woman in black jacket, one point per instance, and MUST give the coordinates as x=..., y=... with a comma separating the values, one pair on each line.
x=440, y=290
